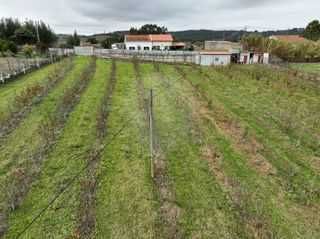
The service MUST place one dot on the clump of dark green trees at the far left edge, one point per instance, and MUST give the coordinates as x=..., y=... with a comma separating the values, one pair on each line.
x=14, y=33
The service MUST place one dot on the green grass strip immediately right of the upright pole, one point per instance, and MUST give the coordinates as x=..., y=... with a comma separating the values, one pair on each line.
x=205, y=209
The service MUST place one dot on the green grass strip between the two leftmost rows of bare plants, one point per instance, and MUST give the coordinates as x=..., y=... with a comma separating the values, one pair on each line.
x=24, y=149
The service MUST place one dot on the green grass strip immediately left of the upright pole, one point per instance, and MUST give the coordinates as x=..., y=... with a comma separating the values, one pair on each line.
x=125, y=206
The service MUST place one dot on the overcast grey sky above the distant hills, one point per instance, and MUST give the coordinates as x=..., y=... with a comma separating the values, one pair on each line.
x=94, y=16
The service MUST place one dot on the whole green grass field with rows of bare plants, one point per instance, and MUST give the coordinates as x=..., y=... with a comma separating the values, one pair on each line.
x=235, y=152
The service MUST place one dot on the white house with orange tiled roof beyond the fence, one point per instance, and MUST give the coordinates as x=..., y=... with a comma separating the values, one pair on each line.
x=159, y=42
